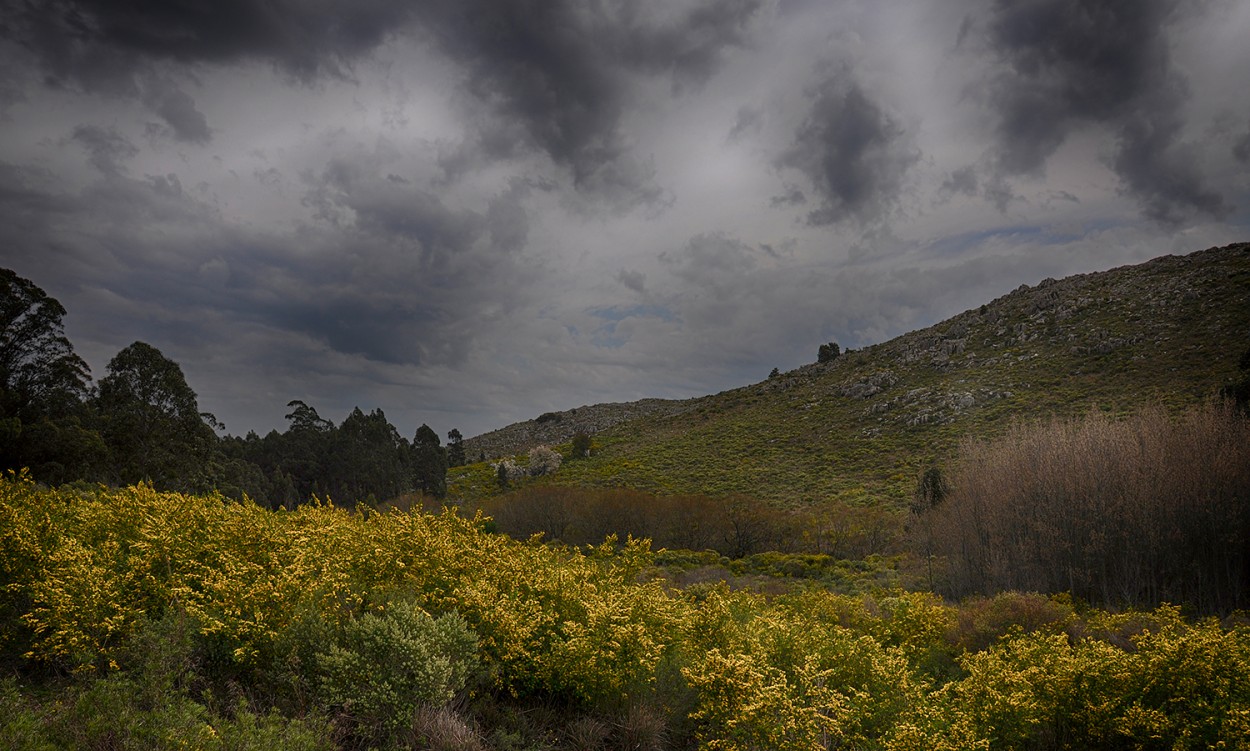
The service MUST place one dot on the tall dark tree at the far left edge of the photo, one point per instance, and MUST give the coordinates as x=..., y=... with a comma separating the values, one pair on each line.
x=43, y=387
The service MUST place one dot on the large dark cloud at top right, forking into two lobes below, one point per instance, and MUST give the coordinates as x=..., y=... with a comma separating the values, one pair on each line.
x=1068, y=64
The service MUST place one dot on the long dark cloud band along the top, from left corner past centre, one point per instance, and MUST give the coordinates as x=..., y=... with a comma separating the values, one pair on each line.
x=553, y=78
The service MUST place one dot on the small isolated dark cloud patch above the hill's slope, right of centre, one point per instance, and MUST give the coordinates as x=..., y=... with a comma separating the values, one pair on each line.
x=852, y=151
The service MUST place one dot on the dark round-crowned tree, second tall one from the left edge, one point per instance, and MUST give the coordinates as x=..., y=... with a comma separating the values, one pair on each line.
x=152, y=423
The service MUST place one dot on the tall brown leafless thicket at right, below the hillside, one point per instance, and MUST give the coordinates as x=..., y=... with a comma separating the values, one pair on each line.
x=1136, y=512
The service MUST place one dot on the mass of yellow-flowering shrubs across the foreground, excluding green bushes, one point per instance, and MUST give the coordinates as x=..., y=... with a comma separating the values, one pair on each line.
x=266, y=593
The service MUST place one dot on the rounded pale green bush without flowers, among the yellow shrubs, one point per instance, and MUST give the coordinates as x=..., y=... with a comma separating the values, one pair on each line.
x=388, y=665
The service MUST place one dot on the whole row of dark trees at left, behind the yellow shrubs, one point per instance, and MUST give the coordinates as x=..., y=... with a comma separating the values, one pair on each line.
x=142, y=423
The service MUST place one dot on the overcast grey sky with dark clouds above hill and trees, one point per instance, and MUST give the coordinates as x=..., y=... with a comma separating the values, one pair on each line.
x=468, y=213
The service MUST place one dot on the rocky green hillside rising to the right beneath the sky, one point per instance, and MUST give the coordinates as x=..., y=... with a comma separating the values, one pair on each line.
x=862, y=428
